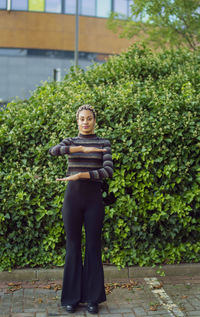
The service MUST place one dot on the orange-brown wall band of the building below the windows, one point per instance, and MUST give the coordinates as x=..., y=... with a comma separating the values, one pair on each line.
x=57, y=31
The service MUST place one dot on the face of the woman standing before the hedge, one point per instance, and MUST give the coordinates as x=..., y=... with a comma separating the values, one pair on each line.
x=86, y=122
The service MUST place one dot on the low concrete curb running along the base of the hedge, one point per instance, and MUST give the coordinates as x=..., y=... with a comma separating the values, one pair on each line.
x=111, y=272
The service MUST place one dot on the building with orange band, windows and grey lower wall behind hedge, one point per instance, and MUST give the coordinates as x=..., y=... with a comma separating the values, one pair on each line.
x=38, y=36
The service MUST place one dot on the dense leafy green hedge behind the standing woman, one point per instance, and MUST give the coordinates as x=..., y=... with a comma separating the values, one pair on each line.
x=148, y=107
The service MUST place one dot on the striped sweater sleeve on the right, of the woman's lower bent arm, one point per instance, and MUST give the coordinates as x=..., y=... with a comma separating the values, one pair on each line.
x=107, y=170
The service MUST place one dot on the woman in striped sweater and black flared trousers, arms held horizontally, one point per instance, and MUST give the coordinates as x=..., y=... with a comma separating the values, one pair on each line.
x=89, y=162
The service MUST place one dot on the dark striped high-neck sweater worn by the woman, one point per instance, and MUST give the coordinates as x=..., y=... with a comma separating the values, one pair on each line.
x=98, y=164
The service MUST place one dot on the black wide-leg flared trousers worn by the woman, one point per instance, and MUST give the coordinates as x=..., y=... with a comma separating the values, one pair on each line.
x=83, y=205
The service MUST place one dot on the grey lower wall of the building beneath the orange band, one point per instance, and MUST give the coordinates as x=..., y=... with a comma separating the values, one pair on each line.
x=22, y=74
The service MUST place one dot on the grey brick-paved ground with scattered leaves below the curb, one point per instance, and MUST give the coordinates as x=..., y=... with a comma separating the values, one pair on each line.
x=140, y=297
